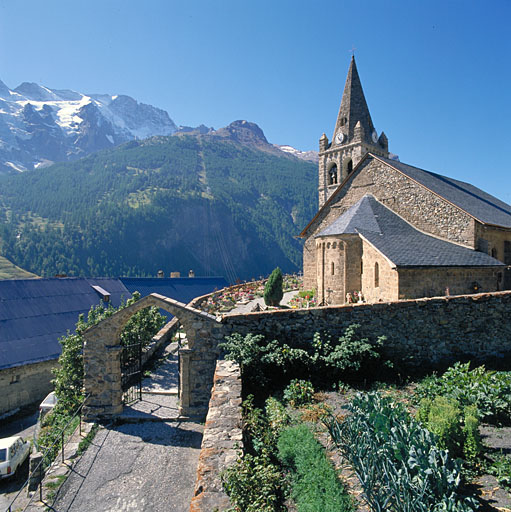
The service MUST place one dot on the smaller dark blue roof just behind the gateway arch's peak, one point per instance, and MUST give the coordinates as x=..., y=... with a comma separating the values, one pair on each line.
x=183, y=289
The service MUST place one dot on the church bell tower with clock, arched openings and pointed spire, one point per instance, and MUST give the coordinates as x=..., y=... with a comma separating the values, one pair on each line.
x=354, y=136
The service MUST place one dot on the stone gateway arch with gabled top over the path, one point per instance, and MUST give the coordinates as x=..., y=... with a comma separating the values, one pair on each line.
x=102, y=366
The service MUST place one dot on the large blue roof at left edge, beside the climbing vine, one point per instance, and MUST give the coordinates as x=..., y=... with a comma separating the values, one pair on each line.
x=35, y=313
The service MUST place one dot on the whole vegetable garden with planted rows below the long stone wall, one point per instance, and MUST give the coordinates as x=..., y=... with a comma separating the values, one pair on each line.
x=423, y=444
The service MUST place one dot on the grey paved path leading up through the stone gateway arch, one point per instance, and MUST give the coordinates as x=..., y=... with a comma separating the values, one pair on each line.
x=148, y=462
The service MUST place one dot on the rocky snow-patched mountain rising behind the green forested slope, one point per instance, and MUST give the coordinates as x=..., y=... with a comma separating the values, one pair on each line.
x=39, y=125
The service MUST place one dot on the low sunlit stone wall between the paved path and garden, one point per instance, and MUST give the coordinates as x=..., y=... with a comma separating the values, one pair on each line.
x=221, y=438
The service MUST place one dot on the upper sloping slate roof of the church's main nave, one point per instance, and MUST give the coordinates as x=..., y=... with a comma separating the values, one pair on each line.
x=476, y=202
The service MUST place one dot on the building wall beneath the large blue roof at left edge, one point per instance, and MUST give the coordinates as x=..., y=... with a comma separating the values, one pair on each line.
x=24, y=385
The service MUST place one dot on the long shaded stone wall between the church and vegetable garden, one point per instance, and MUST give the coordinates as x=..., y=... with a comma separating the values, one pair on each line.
x=428, y=332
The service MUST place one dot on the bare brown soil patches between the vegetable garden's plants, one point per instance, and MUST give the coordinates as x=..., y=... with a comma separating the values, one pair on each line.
x=492, y=496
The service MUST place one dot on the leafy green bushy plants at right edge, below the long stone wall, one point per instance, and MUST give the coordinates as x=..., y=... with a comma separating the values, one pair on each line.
x=489, y=391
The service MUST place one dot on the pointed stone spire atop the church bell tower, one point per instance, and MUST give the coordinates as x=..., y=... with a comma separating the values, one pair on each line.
x=353, y=109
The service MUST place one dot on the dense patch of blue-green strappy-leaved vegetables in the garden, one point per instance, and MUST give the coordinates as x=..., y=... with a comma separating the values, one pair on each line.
x=398, y=462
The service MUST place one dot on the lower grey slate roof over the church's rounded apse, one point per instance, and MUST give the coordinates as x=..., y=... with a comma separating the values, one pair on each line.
x=399, y=241
